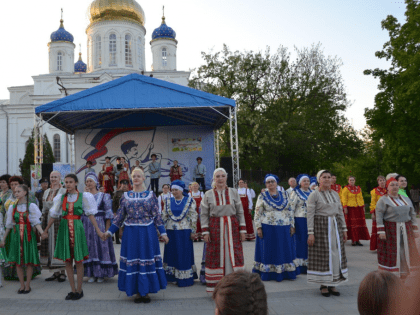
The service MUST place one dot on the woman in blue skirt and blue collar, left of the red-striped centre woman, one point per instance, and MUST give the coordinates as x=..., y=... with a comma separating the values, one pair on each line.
x=180, y=218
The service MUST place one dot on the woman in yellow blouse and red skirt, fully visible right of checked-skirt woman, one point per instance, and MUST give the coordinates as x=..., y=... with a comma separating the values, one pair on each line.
x=354, y=208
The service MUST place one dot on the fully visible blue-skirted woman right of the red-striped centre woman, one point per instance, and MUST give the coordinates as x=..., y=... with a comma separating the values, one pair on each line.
x=275, y=248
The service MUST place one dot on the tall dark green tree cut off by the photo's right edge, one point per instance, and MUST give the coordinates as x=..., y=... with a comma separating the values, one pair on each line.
x=395, y=118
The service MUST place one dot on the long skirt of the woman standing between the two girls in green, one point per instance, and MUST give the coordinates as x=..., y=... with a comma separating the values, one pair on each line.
x=48, y=246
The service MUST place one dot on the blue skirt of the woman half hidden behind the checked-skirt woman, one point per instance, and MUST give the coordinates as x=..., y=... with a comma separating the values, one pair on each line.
x=301, y=239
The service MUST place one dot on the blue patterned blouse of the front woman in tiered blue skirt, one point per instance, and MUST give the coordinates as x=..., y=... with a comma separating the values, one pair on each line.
x=138, y=209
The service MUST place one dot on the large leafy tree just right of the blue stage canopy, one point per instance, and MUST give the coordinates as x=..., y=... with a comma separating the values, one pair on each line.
x=290, y=113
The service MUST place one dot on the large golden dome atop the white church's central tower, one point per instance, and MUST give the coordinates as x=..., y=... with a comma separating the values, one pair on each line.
x=107, y=10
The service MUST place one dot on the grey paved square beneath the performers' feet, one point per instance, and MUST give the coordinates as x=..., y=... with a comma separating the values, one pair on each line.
x=287, y=297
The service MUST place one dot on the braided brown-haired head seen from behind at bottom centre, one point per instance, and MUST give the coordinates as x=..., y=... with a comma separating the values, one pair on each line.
x=241, y=293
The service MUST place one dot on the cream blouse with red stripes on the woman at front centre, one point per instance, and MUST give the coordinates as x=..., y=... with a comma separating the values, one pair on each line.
x=220, y=204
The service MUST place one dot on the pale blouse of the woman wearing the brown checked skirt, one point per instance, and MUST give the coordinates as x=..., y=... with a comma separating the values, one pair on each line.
x=324, y=203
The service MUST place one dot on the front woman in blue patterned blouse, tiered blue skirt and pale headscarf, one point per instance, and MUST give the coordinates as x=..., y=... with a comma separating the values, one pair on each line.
x=141, y=271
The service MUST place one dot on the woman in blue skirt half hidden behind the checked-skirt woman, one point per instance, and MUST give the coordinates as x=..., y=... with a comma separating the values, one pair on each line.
x=298, y=199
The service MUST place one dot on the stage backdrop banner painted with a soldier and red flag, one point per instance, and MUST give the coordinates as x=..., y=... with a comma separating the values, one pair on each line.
x=183, y=143
